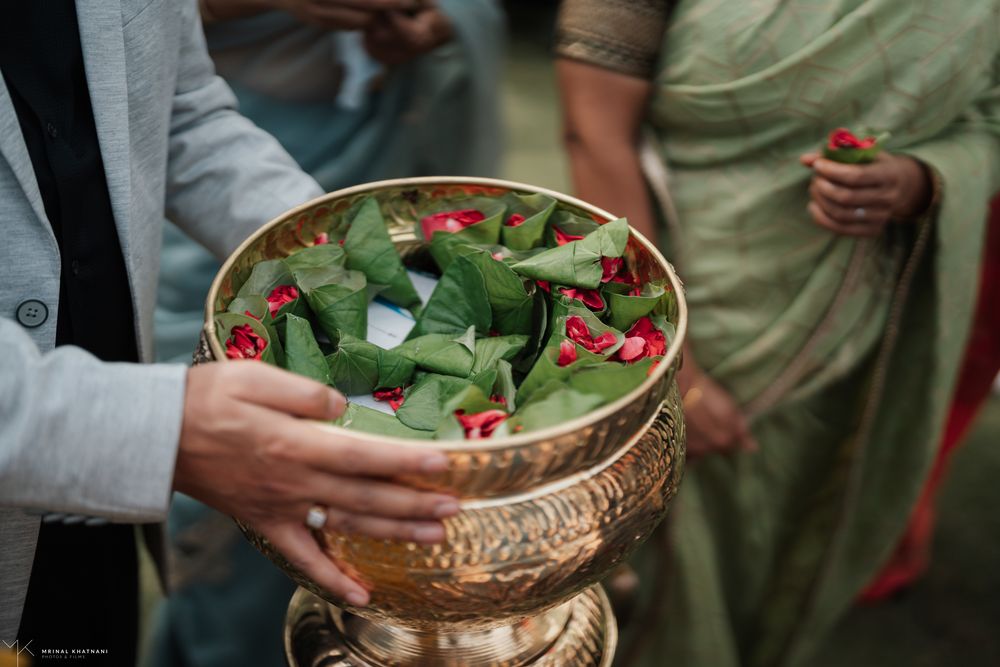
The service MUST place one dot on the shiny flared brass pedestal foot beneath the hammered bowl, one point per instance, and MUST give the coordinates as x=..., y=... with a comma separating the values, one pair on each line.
x=581, y=632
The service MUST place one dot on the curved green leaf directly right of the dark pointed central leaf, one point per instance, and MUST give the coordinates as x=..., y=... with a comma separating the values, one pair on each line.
x=510, y=296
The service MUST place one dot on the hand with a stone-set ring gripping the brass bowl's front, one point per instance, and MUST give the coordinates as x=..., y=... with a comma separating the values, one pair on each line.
x=246, y=450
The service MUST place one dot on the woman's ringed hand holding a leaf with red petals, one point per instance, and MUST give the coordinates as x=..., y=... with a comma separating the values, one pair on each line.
x=861, y=199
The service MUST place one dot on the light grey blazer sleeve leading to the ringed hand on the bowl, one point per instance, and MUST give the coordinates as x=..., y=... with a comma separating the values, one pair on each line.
x=81, y=436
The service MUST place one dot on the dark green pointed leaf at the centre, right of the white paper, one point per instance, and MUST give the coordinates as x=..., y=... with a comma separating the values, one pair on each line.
x=459, y=300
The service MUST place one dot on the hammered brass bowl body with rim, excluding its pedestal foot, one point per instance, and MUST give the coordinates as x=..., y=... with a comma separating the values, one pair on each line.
x=545, y=514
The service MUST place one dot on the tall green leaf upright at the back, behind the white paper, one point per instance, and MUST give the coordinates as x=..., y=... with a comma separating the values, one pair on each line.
x=370, y=250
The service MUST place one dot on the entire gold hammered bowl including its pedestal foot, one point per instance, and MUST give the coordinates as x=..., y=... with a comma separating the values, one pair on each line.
x=545, y=514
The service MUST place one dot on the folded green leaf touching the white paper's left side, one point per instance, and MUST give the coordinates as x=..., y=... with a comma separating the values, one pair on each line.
x=338, y=298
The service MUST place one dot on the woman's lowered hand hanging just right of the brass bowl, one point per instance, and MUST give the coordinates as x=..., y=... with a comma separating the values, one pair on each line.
x=715, y=423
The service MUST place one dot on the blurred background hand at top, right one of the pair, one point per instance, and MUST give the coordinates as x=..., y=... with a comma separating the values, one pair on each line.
x=394, y=38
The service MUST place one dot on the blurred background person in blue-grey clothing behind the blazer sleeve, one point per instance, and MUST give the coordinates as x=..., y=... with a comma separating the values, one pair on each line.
x=354, y=94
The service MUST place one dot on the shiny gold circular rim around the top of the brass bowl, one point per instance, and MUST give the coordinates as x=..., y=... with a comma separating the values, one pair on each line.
x=512, y=442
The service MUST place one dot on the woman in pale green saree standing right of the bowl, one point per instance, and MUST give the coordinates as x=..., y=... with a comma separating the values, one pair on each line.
x=829, y=303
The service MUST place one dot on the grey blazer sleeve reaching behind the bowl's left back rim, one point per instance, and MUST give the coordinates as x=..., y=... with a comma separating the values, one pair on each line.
x=225, y=176
